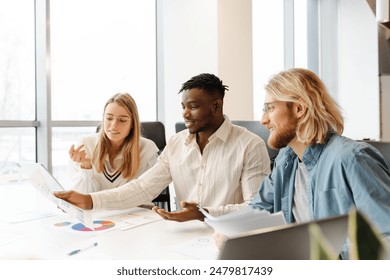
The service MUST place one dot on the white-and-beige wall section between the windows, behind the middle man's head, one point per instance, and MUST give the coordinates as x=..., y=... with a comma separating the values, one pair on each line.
x=206, y=36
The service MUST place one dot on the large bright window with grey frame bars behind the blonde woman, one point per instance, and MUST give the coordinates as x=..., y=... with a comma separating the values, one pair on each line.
x=94, y=49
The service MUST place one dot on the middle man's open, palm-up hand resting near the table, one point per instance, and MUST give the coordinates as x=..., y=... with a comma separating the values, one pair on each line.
x=189, y=212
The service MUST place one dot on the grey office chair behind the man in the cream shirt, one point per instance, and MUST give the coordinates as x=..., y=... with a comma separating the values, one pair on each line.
x=254, y=127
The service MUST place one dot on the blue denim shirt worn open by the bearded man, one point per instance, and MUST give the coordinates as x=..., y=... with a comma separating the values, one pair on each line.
x=342, y=174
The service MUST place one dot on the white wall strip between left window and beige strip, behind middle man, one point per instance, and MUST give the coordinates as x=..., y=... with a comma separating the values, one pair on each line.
x=189, y=48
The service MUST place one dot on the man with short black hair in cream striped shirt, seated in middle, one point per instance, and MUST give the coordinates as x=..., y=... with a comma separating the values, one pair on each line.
x=213, y=164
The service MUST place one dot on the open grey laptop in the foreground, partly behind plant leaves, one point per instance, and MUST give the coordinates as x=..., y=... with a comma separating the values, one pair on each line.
x=288, y=242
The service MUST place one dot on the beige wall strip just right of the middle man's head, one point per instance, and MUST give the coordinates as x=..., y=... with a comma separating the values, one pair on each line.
x=235, y=57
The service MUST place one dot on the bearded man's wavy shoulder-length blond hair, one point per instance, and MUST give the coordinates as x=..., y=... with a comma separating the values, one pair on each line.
x=322, y=114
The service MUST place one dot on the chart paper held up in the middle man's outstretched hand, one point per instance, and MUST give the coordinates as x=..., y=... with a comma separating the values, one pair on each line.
x=46, y=184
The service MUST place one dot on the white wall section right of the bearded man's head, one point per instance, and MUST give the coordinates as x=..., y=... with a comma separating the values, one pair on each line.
x=358, y=92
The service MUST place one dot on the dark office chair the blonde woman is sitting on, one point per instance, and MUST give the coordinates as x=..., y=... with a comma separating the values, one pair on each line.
x=155, y=131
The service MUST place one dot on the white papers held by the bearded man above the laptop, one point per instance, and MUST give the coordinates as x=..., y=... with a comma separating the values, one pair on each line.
x=243, y=220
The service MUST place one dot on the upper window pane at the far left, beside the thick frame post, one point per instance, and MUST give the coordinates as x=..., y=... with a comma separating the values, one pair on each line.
x=17, y=68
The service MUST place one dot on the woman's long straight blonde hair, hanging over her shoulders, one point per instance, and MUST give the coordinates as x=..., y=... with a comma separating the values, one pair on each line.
x=130, y=147
